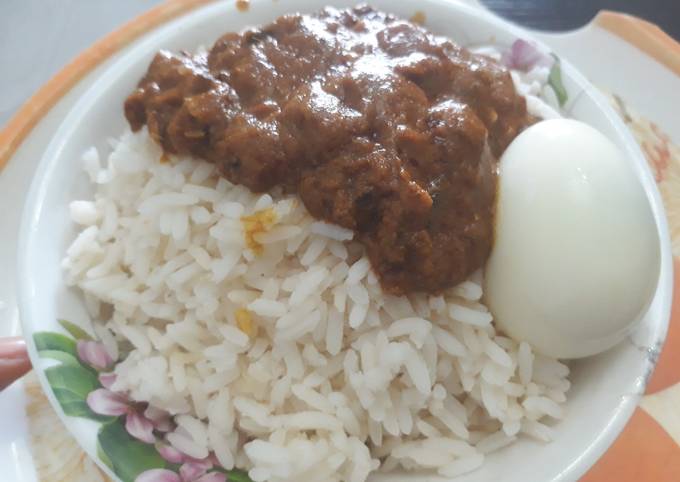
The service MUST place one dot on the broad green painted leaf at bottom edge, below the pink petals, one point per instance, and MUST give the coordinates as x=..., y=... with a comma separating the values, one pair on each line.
x=128, y=456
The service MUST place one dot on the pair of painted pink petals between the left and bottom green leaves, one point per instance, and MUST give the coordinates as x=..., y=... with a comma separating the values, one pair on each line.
x=105, y=402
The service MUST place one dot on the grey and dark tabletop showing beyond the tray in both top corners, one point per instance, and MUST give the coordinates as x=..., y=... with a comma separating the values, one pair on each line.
x=38, y=37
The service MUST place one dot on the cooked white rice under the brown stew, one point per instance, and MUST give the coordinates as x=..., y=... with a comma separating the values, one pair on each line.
x=292, y=363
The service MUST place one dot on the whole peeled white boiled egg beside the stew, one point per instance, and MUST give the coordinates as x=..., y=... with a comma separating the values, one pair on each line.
x=576, y=258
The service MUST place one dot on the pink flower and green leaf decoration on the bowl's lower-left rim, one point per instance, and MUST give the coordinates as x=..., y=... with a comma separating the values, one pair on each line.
x=131, y=439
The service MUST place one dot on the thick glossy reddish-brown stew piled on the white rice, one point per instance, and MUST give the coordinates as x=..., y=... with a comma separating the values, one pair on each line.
x=378, y=125
